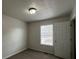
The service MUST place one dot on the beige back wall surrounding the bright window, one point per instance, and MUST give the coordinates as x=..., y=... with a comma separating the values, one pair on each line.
x=34, y=34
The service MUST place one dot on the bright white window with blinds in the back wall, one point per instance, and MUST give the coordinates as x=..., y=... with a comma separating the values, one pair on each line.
x=46, y=35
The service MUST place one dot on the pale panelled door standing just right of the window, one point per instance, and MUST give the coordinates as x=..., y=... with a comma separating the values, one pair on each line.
x=62, y=39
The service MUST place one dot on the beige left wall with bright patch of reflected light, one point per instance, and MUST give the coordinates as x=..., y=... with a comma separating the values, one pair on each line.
x=14, y=36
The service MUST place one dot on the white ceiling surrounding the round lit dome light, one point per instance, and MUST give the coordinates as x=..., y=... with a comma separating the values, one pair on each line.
x=45, y=8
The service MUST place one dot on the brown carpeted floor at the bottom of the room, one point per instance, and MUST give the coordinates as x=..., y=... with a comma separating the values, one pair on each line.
x=32, y=54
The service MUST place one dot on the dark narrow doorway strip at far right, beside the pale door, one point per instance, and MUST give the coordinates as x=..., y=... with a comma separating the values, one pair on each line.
x=73, y=37
